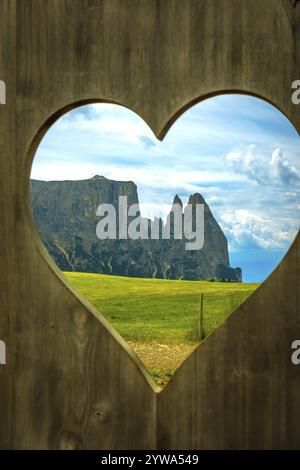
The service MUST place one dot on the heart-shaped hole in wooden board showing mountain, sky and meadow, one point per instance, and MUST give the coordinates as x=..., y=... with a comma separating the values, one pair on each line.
x=236, y=156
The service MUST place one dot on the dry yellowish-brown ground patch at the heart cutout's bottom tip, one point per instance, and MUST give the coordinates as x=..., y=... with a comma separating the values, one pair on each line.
x=161, y=360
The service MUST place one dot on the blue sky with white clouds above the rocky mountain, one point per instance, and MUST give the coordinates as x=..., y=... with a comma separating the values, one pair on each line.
x=239, y=152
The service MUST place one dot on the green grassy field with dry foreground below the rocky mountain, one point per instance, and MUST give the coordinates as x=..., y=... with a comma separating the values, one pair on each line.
x=159, y=318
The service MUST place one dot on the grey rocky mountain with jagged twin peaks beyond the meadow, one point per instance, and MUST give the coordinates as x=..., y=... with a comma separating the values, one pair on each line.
x=65, y=213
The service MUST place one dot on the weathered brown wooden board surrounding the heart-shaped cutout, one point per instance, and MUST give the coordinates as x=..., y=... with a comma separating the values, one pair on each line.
x=70, y=381
